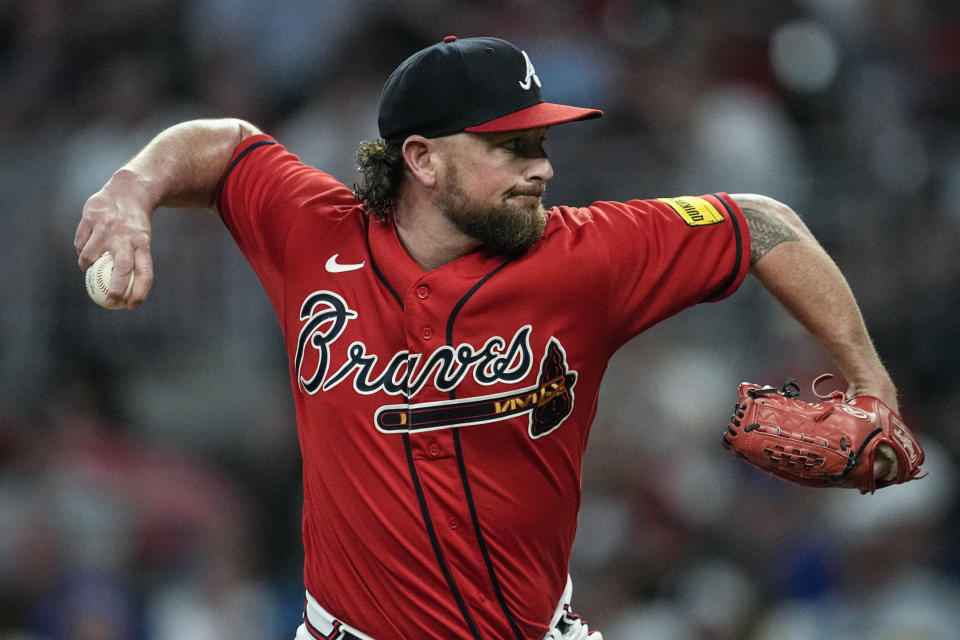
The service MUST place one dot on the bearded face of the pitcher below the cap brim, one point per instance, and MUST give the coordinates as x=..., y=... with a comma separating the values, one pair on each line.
x=493, y=188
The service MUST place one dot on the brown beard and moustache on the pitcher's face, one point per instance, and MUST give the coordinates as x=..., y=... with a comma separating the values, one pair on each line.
x=503, y=227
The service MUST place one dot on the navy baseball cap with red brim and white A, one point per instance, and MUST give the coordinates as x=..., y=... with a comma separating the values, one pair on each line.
x=468, y=84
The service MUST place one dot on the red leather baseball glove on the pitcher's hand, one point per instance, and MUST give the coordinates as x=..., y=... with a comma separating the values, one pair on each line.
x=832, y=443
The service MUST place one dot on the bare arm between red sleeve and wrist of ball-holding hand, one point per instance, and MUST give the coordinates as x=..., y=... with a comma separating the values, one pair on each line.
x=182, y=165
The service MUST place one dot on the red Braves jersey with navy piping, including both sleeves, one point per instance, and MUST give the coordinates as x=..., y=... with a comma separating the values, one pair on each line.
x=443, y=415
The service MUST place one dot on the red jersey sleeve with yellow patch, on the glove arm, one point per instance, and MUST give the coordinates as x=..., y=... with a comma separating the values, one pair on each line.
x=668, y=254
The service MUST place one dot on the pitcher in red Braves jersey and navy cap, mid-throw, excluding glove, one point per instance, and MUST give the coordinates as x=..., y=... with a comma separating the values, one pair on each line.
x=447, y=335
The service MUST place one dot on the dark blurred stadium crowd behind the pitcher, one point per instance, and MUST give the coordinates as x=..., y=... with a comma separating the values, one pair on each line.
x=149, y=471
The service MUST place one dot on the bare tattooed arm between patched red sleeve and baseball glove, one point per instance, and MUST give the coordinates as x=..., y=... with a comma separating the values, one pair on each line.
x=789, y=262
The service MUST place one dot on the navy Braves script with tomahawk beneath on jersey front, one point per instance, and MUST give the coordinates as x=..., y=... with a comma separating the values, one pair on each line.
x=326, y=315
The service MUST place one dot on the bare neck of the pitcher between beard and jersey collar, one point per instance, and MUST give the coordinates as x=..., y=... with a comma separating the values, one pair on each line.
x=427, y=236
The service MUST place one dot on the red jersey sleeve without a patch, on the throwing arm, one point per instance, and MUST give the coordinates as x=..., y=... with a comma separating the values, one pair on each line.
x=263, y=191
